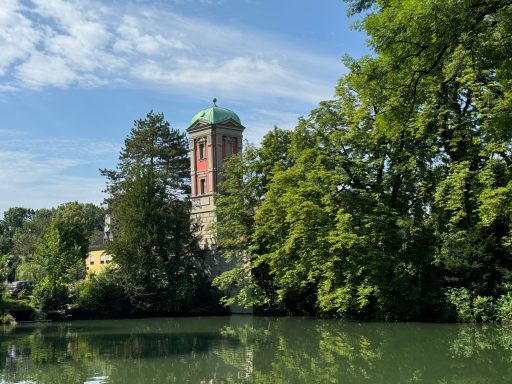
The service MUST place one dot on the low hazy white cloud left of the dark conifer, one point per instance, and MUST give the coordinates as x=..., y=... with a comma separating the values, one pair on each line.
x=40, y=172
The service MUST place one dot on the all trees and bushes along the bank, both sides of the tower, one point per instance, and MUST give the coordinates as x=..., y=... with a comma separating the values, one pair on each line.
x=391, y=201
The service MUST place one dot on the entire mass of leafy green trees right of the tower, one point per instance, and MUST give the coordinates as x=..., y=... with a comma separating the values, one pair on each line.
x=394, y=200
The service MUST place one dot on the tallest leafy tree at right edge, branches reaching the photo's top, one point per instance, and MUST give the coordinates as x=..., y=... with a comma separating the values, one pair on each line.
x=448, y=63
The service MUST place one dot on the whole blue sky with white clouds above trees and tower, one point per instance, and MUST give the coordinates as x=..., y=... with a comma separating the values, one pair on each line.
x=75, y=74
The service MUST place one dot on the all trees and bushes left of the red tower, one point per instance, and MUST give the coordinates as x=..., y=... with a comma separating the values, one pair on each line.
x=158, y=266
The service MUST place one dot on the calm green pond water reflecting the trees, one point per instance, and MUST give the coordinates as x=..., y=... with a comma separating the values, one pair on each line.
x=245, y=349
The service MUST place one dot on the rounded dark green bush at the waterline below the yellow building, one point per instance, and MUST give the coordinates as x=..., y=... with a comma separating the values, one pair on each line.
x=102, y=296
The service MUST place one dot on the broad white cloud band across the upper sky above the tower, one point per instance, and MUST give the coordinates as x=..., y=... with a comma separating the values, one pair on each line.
x=86, y=43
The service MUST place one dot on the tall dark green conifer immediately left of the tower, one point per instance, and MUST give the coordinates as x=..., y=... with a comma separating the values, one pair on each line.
x=154, y=246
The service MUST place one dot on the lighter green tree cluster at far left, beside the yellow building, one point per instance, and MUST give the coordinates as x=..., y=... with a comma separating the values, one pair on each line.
x=49, y=247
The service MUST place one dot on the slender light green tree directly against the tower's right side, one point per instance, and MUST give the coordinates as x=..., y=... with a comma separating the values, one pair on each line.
x=241, y=192
